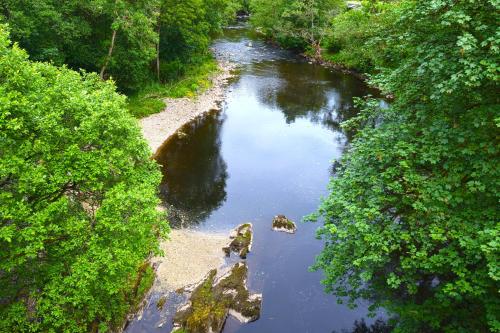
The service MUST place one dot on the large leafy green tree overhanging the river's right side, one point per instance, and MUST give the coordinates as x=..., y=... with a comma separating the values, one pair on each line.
x=412, y=219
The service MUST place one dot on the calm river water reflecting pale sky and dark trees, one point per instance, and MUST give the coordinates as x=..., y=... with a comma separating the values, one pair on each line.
x=269, y=151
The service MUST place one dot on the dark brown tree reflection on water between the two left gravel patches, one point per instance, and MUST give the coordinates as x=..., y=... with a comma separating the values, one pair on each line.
x=194, y=172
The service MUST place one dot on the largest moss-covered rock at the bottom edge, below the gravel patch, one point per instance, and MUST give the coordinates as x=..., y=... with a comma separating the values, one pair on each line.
x=214, y=299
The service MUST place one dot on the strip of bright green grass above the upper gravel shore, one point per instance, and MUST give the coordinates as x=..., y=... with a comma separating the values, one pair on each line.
x=194, y=78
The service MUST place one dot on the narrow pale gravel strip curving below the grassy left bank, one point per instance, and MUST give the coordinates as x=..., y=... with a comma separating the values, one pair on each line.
x=157, y=128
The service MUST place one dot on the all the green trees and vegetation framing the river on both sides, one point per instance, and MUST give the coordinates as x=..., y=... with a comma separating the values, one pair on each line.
x=411, y=221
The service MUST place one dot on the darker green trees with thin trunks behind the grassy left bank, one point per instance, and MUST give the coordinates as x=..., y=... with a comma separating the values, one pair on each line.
x=121, y=39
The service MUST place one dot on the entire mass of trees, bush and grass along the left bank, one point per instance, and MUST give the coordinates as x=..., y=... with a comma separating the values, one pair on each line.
x=78, y=191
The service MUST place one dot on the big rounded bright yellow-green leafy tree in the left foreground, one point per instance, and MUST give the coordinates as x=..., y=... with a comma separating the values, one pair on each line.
x=77, y=201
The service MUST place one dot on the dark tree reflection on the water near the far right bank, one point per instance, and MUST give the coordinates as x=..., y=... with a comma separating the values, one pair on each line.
x=300, y=90
